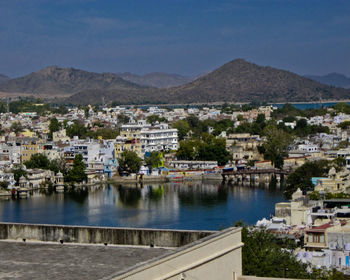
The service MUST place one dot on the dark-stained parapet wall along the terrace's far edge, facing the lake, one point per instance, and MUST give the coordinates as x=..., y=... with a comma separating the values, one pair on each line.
x=100, y=235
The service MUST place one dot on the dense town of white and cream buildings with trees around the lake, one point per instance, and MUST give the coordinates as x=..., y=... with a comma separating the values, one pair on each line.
x=303, y=152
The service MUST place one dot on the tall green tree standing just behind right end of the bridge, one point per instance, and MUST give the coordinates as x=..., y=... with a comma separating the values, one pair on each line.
x=276, y=144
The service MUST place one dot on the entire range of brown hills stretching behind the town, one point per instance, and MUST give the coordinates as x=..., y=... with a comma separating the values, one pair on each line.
x=236, y=81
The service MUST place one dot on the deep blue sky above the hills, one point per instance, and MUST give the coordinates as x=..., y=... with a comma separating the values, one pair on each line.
x=186, y=37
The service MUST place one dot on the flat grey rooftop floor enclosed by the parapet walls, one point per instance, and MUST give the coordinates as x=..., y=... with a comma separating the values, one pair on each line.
x=51, y=261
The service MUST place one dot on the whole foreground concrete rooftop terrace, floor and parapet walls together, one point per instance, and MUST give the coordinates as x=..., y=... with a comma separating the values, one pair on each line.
x=38, y=251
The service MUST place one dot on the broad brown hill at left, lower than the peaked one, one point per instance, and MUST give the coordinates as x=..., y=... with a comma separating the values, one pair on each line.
x=57, y=81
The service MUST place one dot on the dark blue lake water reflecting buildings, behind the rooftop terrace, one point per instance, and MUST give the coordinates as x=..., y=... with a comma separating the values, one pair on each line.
x=197, y=205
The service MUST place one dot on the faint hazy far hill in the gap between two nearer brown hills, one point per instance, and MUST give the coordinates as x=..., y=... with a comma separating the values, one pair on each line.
x=156, y=79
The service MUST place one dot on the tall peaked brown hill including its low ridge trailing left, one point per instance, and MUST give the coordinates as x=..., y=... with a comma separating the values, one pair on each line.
x=236, y=81
